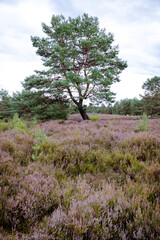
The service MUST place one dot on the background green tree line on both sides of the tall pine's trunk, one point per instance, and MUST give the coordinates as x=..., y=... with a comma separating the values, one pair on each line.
x=29, y=104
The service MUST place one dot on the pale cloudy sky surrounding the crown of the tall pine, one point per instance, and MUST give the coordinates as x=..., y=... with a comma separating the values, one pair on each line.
x=135, y=25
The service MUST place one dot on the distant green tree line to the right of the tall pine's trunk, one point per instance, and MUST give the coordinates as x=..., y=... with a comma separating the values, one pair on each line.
x=149, y=103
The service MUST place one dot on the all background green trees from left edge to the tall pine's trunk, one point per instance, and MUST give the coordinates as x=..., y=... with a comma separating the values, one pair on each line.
x=28, y=104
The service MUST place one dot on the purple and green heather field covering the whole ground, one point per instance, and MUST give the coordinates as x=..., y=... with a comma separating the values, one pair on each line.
x=79, y=179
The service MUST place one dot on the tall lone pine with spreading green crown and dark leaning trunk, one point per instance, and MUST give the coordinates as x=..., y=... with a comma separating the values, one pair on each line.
x=79, y=59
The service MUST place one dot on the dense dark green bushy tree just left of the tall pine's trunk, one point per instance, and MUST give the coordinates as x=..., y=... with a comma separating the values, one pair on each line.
x=37, y=105
